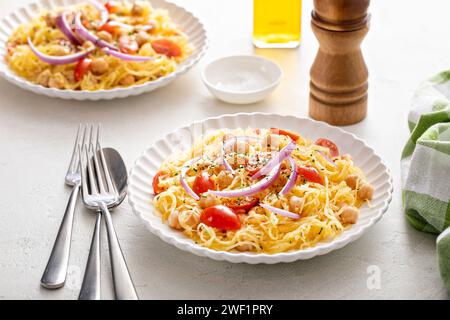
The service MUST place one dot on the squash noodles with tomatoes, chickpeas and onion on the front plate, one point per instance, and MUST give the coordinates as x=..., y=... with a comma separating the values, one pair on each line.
x=320, y=204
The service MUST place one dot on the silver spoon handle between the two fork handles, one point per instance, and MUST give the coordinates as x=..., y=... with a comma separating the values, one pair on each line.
x=90, y=289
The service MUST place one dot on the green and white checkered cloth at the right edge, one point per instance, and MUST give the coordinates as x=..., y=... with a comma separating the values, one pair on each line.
x=426, y=165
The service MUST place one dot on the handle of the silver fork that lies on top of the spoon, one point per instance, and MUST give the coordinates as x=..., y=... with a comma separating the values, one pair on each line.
x=123, y=285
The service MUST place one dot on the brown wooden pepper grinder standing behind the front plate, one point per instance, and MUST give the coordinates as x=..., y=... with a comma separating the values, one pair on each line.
x=339, y=74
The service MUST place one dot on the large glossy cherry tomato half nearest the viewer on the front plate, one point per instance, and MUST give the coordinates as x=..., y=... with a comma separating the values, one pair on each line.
x=220, y=217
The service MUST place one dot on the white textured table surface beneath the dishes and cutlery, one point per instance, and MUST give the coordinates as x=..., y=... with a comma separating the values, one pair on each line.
x=407, y=43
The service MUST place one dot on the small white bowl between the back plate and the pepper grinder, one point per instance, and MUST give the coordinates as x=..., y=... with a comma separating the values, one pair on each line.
x=242, y=79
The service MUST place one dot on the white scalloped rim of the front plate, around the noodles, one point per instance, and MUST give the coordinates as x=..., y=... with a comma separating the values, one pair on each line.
x=140, y=182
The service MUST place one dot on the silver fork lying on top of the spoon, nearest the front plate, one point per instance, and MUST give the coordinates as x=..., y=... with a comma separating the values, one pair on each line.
x=99, y=193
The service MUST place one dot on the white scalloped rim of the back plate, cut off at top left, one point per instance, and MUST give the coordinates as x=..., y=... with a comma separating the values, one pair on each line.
x=184, y=19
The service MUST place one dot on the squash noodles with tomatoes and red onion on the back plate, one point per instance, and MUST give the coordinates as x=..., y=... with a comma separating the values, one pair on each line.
x=135, y=30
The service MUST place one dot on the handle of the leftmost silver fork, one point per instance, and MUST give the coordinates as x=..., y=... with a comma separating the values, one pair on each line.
x=56, y=270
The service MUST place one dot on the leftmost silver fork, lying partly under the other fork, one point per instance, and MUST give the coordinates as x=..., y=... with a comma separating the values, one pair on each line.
x=56, y=270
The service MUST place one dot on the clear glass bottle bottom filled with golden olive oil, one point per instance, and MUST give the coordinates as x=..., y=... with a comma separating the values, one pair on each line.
x=277, y=23
